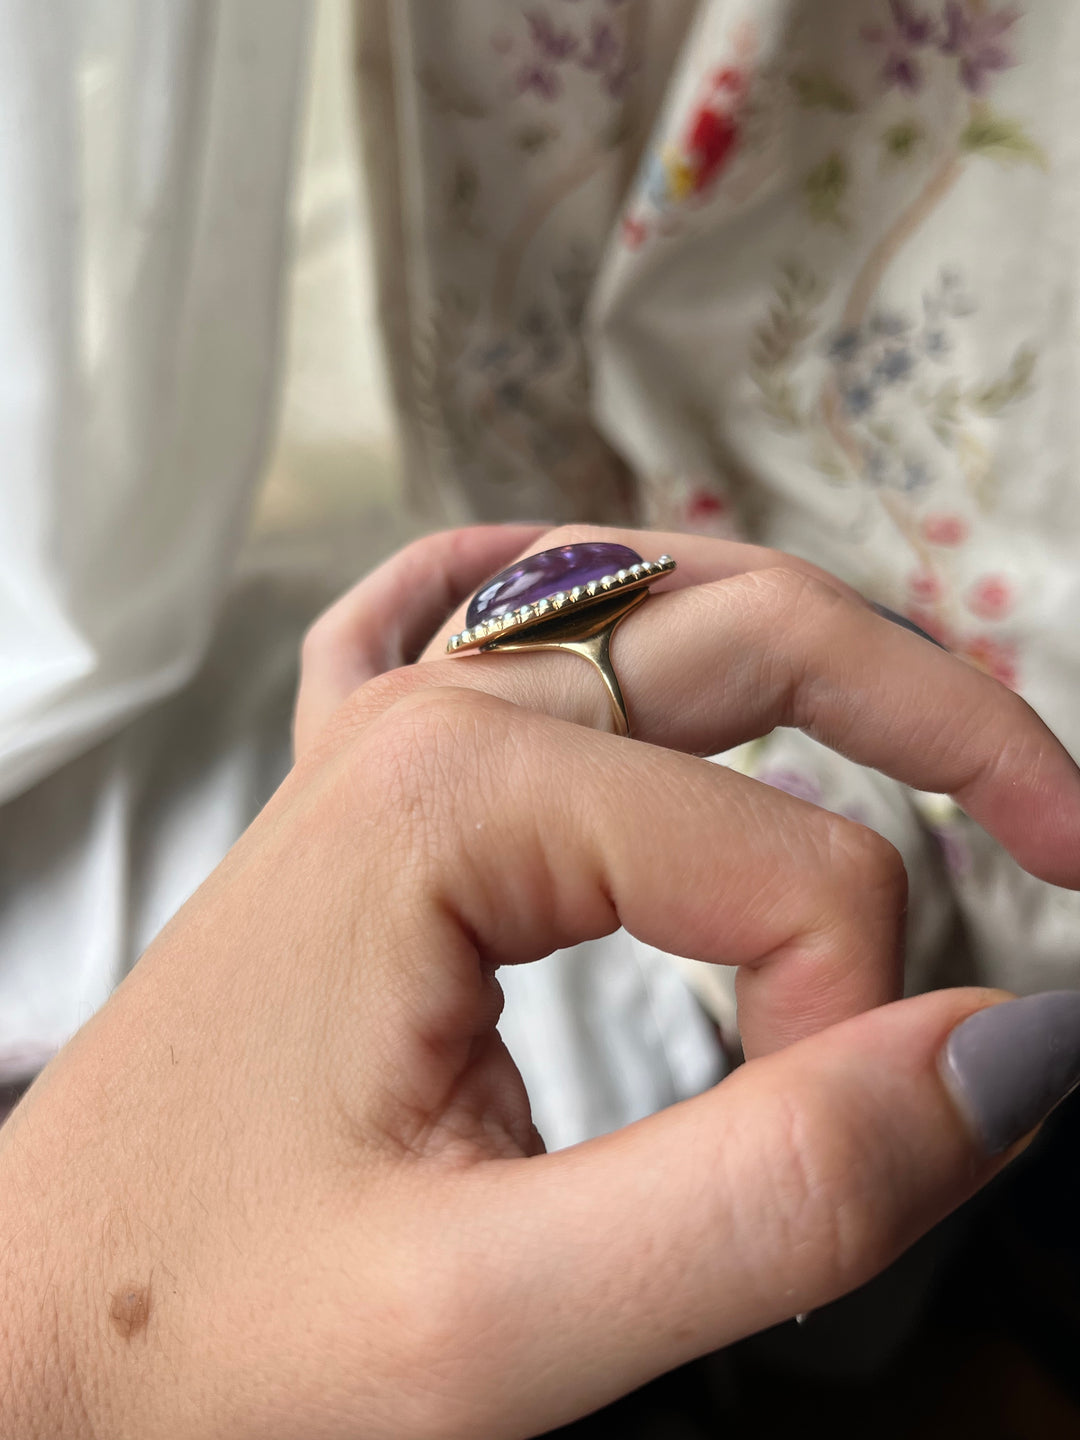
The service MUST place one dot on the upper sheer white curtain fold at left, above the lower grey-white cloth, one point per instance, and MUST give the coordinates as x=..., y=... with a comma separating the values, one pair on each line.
x=146, y=155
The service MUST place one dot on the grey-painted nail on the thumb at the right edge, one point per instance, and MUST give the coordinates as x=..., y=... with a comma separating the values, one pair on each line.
x=1010, y=1065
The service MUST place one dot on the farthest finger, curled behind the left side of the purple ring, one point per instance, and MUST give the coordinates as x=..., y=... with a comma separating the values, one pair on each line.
x=390, y=617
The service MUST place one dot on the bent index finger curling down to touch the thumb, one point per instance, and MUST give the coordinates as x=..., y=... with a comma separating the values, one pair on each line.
x=565, y=834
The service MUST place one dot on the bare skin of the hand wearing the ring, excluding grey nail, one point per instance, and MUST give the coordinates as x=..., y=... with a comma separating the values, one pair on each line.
x=287, y=1183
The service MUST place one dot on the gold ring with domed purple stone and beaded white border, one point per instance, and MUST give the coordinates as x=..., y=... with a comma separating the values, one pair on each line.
x=572, y=600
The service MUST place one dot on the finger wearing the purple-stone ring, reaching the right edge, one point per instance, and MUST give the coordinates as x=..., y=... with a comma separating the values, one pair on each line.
x=715, y=663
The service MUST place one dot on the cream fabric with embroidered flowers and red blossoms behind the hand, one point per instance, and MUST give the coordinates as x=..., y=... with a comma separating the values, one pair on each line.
x=804, y=274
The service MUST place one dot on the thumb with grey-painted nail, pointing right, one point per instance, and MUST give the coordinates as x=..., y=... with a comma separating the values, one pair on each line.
x=790, y=1184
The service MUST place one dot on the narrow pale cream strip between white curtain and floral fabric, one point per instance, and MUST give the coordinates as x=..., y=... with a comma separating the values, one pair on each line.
x=336, y=470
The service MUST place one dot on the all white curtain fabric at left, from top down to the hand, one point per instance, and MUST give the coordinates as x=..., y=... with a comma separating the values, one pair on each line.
x=146, y=155
